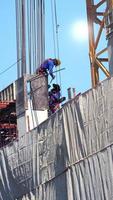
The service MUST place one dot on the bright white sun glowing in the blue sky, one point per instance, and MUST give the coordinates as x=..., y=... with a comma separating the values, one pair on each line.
x=79, y=31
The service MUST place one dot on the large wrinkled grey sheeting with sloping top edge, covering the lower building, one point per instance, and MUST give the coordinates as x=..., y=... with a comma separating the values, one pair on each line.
x=67, y=157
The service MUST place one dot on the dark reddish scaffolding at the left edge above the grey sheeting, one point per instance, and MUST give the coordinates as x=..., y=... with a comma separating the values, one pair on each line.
x=8, y=122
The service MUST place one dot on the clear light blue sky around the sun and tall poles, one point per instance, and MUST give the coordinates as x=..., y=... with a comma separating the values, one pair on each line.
x=73, y=53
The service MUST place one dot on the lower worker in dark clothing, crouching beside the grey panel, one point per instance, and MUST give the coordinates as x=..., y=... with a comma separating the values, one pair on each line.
x=55, y=98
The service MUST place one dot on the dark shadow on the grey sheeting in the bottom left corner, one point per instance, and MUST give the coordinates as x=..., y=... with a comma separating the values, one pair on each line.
x=10, y=186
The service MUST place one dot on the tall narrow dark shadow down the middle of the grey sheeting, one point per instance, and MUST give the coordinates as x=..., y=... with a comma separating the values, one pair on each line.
x=60, y=165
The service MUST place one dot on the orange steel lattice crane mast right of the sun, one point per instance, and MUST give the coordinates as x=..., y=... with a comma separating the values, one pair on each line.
x=95, y=17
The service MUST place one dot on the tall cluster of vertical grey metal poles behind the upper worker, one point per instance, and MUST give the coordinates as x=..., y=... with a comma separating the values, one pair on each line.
x=30, y=25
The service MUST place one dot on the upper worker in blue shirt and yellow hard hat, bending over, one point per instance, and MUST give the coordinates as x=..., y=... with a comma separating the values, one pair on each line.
x=47, y=67
